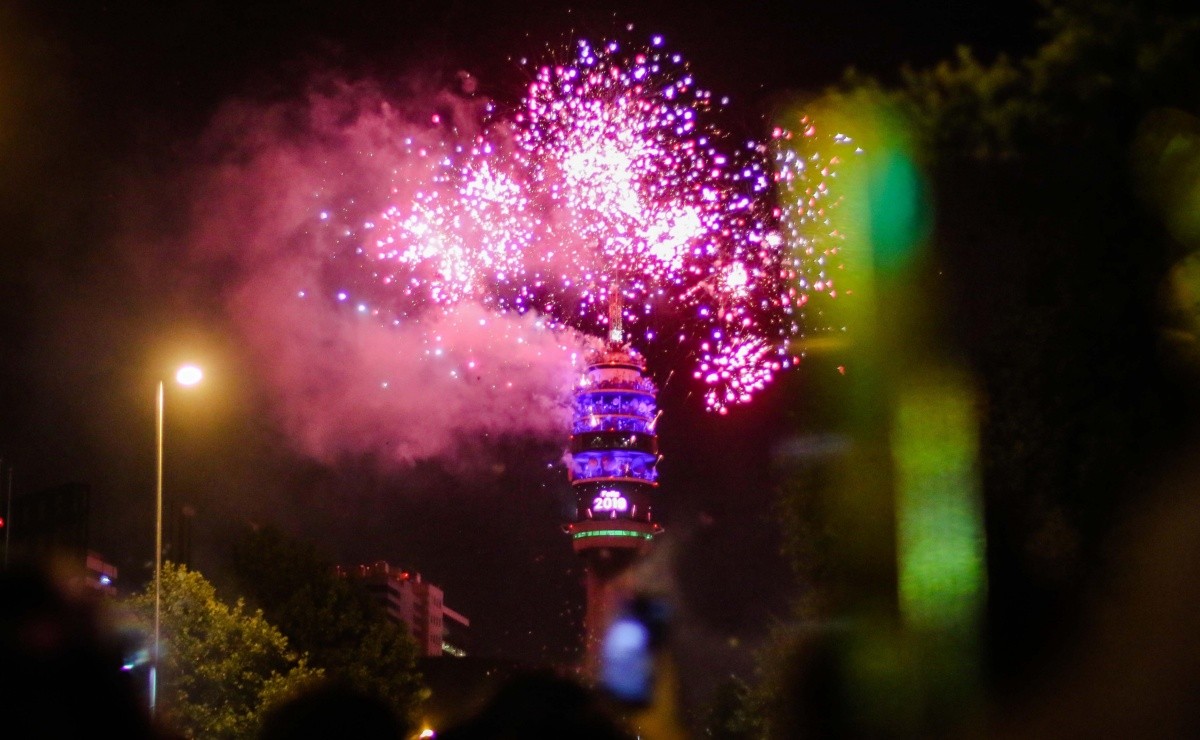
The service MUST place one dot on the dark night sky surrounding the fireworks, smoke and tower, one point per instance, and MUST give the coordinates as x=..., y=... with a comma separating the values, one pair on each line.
x=103, y=105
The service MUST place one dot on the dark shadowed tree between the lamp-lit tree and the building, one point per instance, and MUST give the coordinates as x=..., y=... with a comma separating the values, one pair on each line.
x=344, y=630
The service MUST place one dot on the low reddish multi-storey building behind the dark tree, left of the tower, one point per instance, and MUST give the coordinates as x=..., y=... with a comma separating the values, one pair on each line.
x=417, y=604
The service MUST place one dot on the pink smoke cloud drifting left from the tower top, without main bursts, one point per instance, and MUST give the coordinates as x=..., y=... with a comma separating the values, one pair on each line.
x=347, y=380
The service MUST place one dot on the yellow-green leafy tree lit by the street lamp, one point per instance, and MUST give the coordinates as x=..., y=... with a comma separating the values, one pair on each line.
x=223, y=666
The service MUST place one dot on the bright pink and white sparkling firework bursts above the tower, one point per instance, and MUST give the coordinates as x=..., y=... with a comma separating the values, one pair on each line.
x=608, y=184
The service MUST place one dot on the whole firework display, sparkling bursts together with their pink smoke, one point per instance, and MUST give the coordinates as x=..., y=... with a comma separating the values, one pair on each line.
x=410, y=275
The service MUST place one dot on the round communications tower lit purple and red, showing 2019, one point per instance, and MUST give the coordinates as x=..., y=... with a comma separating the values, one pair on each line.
x=614, y=471
